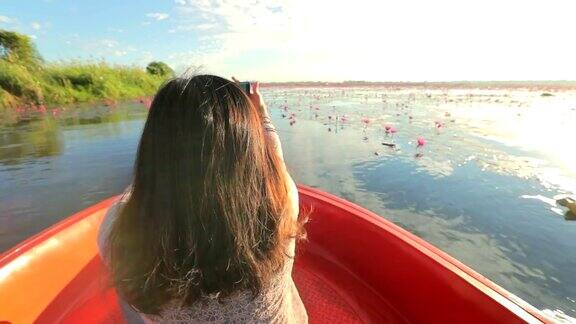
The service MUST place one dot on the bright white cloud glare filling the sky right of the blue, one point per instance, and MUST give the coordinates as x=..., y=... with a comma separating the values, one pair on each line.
x=383, y=40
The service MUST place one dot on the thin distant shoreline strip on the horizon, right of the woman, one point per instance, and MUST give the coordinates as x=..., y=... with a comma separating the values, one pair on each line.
x=528, y=85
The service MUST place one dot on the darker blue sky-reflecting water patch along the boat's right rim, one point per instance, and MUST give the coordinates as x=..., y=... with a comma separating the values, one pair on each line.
x=483, y=223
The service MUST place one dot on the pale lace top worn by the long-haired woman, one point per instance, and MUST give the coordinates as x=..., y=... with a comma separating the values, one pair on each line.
x=278, y=303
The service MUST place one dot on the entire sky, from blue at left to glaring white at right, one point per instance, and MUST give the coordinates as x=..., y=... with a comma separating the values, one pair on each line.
x=312, y=40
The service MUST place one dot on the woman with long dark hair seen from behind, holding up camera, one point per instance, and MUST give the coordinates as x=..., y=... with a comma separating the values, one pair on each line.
x=207, y=231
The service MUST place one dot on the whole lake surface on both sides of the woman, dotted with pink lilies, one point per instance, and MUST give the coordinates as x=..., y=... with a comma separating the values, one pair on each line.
x=482, y=188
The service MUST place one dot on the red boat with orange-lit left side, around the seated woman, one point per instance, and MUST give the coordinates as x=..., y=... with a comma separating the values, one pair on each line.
x=355, y=267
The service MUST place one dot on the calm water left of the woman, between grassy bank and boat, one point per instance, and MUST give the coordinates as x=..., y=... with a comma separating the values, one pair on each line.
x=52, y=166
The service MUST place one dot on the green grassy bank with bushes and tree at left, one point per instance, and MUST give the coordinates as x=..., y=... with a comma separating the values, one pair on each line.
x=25, y=79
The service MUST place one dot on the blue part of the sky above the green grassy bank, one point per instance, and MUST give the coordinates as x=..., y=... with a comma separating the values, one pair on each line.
x=119, y=31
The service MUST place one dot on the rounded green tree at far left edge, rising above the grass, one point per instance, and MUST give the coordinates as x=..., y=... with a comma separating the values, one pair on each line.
x=18, y=48
